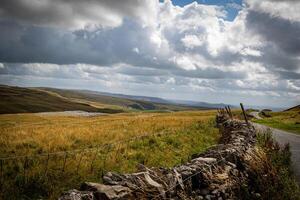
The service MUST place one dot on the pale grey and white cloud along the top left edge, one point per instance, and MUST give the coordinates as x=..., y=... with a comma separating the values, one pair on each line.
x=76, y=13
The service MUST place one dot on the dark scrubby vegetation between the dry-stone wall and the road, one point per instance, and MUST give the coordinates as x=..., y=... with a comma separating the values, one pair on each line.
x=271, y=175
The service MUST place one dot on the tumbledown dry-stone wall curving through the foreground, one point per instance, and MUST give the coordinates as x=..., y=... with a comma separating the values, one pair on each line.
x=219, y=173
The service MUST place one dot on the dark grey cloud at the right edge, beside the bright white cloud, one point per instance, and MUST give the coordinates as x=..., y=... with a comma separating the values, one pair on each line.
x=281, y=50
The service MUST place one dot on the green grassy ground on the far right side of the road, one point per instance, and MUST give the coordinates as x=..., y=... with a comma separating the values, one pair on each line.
x=286, y=120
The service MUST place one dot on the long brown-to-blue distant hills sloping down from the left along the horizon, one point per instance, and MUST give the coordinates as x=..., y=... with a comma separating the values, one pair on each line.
x=43, y=99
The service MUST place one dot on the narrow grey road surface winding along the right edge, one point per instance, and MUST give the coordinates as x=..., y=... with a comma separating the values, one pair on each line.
x=283, y=137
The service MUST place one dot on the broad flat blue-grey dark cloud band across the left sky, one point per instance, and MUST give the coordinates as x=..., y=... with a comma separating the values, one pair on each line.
x=25, y=44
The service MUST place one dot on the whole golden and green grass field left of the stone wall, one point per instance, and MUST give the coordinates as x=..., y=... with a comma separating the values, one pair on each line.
x=168, y=139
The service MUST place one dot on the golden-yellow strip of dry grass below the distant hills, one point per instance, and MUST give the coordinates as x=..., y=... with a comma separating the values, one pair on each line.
x=56, y=133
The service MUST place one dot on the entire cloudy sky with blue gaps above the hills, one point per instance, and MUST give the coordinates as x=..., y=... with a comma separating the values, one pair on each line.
x=227, y=51
